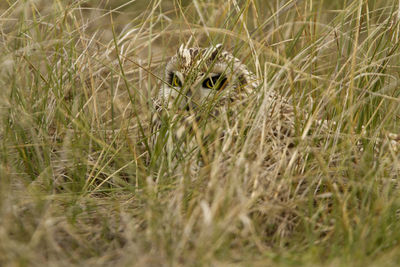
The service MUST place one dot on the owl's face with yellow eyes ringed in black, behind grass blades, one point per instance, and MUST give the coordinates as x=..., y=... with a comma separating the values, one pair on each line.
x=197, y=75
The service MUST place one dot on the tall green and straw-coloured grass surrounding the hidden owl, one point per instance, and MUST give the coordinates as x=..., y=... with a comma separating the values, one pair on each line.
x=79, y=183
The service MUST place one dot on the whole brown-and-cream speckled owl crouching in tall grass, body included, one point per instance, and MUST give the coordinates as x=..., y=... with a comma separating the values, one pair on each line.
x=204, y=86
